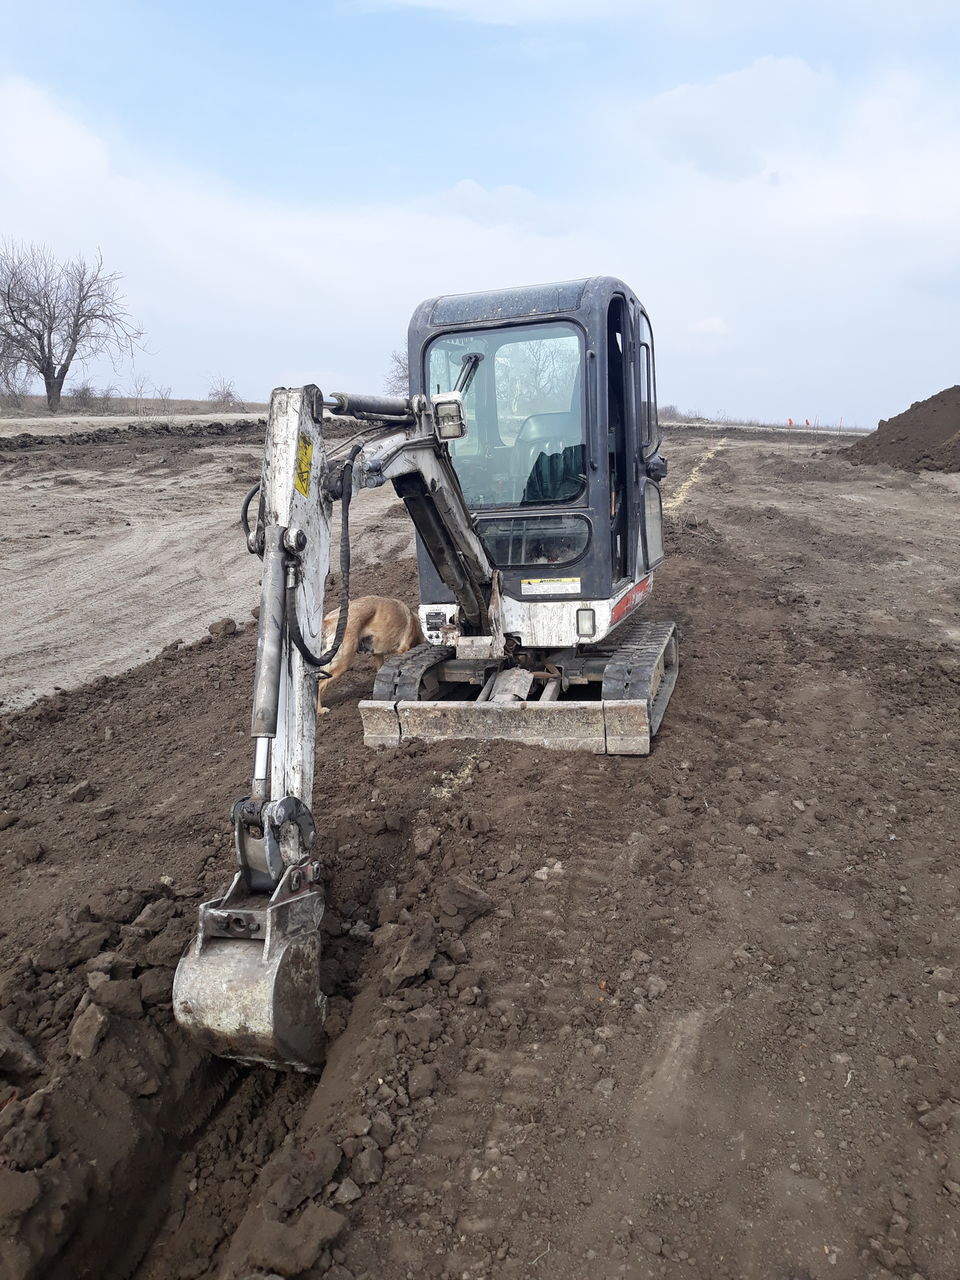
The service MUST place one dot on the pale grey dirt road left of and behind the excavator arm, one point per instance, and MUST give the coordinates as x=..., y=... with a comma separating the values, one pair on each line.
x=112, y=551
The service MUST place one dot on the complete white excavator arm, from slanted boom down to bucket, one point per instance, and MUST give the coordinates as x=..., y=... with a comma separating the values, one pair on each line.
x=249, y=985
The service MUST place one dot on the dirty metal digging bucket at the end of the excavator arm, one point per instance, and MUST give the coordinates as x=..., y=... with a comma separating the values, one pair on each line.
x=249, y=988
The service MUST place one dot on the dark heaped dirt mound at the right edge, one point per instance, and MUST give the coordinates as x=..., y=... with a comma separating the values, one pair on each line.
x=924, y=438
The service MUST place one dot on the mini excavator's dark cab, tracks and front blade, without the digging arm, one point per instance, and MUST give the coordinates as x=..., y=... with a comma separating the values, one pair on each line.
x=561, y=472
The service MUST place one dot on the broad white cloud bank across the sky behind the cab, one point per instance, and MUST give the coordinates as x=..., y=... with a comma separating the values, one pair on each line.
x=808, y=225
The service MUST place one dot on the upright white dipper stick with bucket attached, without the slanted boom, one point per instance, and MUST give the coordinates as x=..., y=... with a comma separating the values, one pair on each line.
x=248, y=988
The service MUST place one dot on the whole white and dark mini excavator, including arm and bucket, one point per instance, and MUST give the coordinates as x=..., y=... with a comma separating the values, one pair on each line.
x=528, y=458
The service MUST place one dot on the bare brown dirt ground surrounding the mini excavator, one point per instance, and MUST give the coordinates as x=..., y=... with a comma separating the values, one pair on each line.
x=693, y=1016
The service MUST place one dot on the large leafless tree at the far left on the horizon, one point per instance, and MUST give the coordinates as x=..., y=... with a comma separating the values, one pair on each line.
x=54, y=313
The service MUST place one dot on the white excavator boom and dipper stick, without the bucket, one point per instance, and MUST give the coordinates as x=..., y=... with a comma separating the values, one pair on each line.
x=294, y=537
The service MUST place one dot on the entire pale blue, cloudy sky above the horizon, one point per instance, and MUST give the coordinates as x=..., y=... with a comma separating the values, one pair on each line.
x=282, y=184
